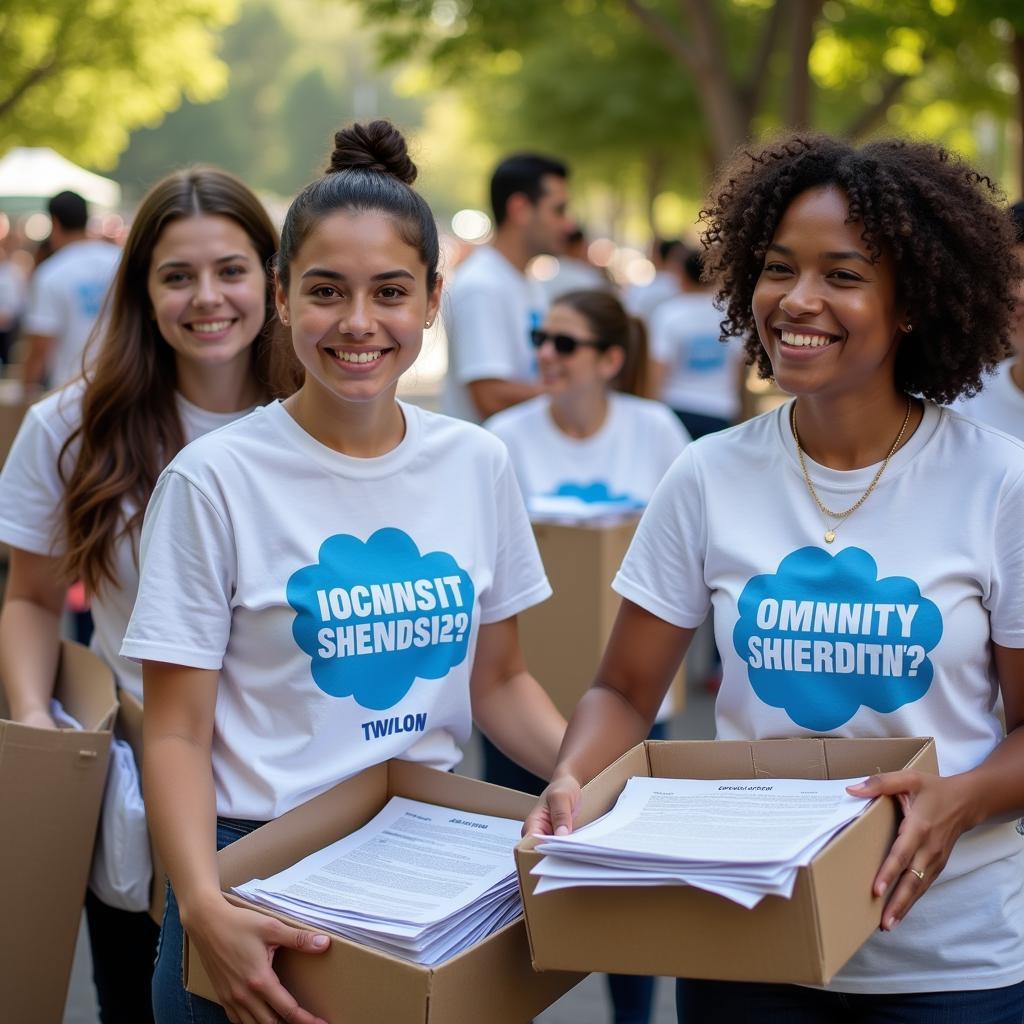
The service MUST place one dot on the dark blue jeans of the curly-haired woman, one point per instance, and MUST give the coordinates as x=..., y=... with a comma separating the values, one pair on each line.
x=747, y=1003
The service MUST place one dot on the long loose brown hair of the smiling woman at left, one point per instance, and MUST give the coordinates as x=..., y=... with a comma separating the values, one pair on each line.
x=130, y=426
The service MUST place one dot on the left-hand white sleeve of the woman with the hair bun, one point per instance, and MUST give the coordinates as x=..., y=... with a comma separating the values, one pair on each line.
x=188, y=562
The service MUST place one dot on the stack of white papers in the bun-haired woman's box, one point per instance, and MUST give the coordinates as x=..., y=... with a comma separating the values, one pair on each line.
x=419, y=881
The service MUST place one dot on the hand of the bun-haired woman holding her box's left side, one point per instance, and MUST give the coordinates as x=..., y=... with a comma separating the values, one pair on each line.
x=237, y=948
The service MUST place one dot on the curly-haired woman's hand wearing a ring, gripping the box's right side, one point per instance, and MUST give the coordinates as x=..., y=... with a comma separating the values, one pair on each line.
x=936, y=814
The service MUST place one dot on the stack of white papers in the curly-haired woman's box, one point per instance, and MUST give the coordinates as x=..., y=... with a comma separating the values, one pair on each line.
x=743, y=839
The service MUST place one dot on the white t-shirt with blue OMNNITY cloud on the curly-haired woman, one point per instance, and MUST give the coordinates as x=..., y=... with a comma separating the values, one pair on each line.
x=885, y=633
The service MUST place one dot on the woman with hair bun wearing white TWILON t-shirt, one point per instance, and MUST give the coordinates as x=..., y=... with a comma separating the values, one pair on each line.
x=328, y=584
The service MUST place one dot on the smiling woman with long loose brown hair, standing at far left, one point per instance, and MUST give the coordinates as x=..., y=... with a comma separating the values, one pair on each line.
x=185, y=347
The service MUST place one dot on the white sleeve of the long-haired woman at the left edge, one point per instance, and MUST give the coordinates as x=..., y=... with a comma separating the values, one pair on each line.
x=31, y=489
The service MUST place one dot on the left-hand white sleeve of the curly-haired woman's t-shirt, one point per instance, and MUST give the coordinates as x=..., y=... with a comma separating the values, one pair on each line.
x=664, y=570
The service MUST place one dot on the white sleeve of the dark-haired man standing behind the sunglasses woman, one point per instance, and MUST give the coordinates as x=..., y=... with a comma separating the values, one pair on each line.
x=483, y=336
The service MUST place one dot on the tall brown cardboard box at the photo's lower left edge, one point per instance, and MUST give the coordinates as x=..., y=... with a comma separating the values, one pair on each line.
x=52, y=789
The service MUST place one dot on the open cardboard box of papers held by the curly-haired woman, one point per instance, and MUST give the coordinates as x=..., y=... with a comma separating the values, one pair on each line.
x=682, y=932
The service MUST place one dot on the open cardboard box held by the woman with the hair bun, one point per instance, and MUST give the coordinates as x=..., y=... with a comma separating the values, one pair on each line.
x=493, y=982
